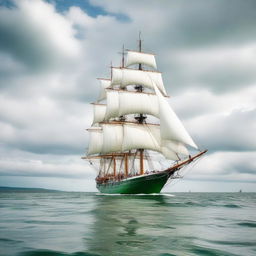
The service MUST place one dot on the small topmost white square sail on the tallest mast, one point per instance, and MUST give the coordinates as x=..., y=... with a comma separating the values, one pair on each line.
x=134, y=57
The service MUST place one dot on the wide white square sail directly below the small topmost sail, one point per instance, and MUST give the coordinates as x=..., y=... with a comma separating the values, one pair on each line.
x=125, y=76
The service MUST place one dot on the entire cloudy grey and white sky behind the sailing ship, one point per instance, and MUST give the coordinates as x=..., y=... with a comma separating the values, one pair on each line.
x=52, y=51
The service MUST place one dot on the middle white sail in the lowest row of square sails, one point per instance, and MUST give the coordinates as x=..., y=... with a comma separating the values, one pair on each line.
x=112, y=138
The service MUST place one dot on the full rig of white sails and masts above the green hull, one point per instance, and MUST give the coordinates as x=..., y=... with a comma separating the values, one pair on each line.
x=116, y=139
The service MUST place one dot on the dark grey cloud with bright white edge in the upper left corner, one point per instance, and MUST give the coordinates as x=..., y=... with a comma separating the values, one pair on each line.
x=35, y=34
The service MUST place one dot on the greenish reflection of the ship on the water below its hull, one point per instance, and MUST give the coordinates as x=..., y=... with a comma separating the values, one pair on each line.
x=131, y=225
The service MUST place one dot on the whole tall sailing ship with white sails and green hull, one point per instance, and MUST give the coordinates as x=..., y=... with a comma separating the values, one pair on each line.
x=133, y=127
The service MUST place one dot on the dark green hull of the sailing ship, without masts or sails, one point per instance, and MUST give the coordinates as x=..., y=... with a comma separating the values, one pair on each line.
x=145, y=184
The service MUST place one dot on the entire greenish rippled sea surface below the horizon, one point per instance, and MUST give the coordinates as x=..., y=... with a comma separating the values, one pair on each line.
x=80, y=224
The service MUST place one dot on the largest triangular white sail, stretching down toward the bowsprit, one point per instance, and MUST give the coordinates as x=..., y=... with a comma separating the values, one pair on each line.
x=171, y=126
